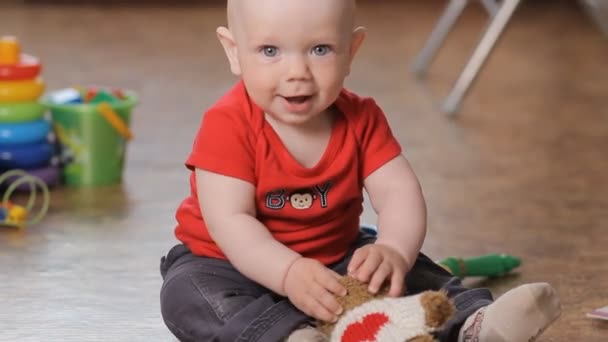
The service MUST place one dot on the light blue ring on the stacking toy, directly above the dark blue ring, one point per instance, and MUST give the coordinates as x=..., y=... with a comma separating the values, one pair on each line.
x=24, y=132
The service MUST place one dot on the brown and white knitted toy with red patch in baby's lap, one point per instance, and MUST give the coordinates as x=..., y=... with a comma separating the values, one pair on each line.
x=378, y=318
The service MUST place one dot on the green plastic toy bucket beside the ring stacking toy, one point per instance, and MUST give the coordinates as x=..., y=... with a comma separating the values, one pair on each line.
x=92, y=147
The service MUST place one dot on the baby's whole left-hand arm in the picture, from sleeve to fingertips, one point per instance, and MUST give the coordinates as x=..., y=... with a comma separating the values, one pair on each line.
x=228, y=205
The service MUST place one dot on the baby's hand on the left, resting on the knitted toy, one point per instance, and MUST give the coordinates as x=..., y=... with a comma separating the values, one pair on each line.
x=312, y=288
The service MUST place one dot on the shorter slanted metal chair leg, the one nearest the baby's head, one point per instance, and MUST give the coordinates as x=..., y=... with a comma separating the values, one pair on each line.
x=449, y=17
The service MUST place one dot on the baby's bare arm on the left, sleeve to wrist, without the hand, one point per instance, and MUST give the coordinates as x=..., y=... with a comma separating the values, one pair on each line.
x=228, y=206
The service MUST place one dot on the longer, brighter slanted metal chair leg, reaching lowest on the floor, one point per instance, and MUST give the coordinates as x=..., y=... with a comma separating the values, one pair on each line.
x=483, y=49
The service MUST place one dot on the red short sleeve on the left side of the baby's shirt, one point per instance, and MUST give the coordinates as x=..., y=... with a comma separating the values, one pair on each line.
x=224, y=144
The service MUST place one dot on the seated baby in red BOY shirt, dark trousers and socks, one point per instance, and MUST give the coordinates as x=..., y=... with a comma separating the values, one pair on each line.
x=278, y=169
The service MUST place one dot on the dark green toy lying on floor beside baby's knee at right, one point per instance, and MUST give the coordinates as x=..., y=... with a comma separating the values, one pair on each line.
x=489, y=265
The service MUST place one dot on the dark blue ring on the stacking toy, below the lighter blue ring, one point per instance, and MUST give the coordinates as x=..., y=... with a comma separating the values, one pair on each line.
x=25, y=156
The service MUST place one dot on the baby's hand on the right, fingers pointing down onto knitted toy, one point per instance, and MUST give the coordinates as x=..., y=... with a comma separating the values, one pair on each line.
x=376, y=263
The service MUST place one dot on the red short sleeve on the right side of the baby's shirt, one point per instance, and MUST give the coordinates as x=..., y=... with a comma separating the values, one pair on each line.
x=378, y=145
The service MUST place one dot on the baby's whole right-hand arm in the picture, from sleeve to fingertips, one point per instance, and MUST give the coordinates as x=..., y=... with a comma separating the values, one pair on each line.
x=396, y=197
